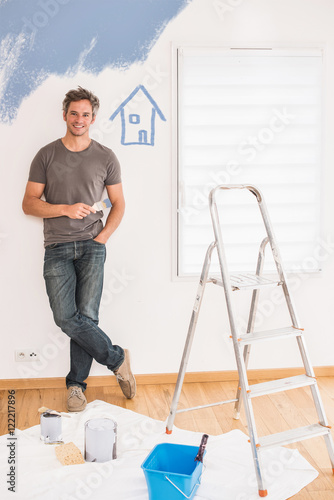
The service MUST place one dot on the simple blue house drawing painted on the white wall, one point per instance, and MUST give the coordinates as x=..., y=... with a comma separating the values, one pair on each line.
x=138, y=128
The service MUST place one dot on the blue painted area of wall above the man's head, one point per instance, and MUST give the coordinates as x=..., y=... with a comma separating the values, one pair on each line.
x=41, y=37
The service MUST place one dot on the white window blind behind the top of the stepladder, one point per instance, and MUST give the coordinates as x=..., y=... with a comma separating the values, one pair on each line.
x=249, y=117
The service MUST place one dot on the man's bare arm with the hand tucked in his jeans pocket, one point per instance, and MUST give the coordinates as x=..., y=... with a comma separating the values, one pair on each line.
x=115, y=193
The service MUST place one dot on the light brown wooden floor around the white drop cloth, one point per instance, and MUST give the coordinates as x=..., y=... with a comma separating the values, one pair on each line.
x=275, y=413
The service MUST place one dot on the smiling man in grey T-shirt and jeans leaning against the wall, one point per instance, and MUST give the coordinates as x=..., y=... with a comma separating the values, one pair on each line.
x=72, y=173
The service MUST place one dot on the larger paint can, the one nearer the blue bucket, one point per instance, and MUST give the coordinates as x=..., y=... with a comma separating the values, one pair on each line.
x=100, y=440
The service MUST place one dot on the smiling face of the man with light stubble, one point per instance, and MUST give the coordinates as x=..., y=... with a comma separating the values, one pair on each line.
x=79, y=117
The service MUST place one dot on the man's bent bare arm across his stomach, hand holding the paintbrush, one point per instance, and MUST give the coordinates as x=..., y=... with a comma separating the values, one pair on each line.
x=33, y=205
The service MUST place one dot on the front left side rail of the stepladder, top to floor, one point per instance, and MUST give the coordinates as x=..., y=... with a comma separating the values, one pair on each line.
x=254, y=440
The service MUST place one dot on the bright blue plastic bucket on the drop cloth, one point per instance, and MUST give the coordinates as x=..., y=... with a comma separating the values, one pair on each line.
x=171, y=472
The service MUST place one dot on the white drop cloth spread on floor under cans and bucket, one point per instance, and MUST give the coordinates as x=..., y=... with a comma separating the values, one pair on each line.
x=229, y=471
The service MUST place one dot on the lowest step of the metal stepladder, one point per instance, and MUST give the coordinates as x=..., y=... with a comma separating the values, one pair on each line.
x=293, y=435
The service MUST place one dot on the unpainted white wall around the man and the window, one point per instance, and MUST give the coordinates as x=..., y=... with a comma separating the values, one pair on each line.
x=143, y=308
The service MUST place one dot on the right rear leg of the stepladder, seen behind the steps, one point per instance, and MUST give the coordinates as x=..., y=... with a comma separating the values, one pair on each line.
x=251, y=321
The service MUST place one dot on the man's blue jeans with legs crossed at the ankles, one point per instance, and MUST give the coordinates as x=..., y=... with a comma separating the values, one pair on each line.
x=73, y=274
